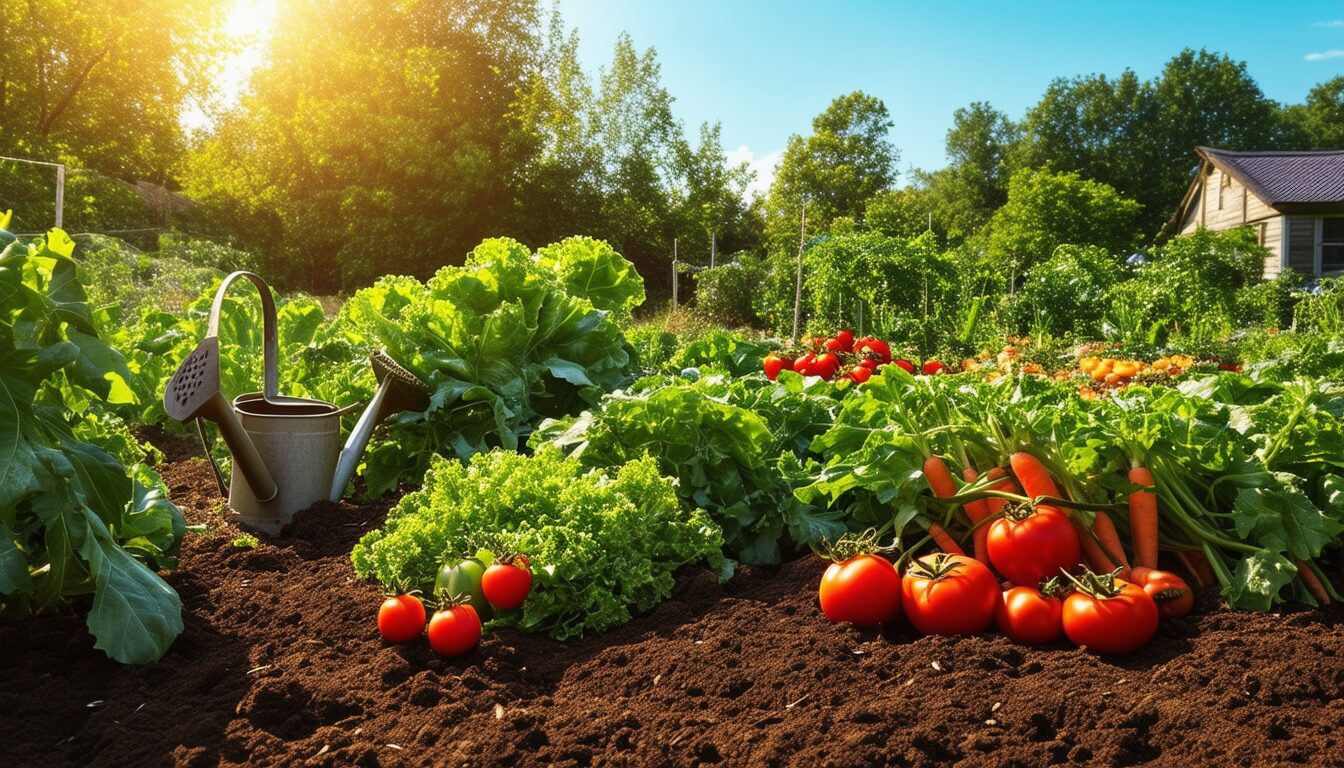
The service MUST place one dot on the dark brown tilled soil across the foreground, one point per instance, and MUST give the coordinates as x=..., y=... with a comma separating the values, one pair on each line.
x=282, y=665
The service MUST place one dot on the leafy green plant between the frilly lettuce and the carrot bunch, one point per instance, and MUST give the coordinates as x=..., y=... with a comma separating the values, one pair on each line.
x=733, y=445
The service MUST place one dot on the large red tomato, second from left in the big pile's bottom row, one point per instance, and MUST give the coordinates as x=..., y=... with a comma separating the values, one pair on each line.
x=950, y=595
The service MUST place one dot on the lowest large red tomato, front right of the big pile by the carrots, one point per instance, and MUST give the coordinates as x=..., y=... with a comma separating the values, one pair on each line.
x=1118, y=625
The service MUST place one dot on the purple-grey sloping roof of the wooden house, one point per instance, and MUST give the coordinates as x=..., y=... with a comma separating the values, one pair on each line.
x=1286, y=178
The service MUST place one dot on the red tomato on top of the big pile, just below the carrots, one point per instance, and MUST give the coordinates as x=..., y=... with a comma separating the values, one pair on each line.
x=1033, y=548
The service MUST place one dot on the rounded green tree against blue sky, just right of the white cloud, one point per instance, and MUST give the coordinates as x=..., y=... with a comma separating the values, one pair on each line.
x=846, y=161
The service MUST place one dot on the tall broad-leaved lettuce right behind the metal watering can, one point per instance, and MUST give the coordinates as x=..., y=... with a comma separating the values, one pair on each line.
x=501, y=341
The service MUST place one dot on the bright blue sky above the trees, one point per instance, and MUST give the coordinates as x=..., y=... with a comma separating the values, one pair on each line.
x=764, y=69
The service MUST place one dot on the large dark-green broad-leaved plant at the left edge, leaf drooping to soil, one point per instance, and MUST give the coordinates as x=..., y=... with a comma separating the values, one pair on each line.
x=73, y=519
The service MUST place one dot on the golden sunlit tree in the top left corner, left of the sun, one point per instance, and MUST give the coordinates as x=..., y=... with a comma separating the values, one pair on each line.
x=103, y=85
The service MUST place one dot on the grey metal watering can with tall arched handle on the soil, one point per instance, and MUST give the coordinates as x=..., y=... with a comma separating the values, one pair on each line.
x=287, y=451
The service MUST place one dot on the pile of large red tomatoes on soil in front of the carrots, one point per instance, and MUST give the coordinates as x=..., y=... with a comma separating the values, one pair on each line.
x=1048, y=592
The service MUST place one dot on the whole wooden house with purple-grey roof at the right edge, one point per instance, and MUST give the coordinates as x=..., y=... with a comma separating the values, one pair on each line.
x=1294, y=200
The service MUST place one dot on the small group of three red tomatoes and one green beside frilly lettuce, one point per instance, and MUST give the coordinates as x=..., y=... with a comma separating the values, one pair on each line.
x=456, y=626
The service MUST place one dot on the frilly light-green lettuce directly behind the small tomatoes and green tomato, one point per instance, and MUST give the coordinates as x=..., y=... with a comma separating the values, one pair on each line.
x=604, y=545
